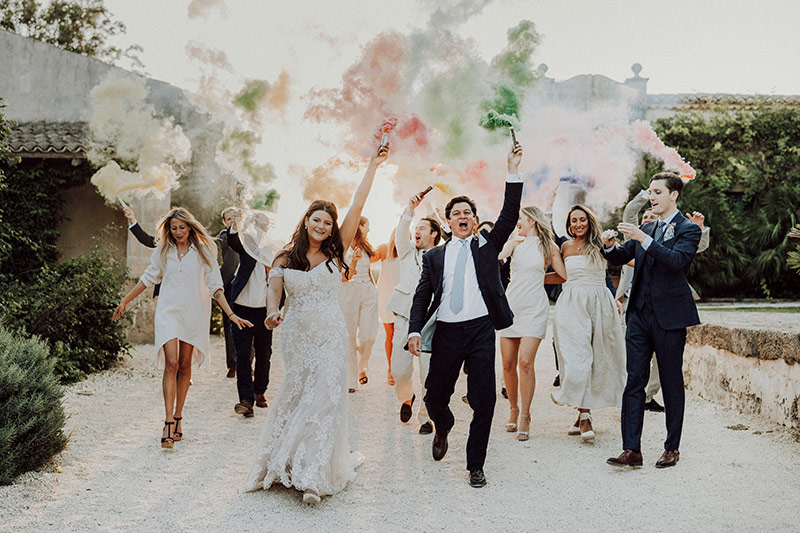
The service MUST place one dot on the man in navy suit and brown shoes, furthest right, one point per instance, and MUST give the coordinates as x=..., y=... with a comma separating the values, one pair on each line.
x=660, y=309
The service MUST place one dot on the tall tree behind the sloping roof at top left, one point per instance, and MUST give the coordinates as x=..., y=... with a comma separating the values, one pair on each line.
x=80, y=26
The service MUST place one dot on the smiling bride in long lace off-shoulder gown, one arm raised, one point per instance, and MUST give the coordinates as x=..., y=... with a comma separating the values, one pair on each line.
x=304, y=442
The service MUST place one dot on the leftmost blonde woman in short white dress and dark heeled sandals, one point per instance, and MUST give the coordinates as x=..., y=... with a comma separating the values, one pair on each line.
x=185, y=264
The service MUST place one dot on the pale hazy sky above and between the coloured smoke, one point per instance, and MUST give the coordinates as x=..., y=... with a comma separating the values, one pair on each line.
x=683, y=46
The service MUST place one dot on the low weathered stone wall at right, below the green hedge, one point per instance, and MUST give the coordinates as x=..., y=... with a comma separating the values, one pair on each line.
x=753, y=370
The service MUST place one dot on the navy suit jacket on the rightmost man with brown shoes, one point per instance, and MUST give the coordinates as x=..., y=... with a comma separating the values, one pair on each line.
x=662, y=270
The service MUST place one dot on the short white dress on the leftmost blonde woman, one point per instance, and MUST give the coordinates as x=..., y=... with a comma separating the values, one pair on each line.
x=183, y=310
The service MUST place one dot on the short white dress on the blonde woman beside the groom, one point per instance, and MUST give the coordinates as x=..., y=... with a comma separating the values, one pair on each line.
x=526, y=295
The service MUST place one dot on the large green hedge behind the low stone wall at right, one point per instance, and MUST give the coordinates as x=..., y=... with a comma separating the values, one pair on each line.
x=748, y=187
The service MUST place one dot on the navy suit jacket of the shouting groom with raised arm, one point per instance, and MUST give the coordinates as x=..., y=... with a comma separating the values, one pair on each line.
x=487, y=269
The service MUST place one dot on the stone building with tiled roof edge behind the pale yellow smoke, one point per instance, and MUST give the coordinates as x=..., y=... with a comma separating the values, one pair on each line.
x=46, y=92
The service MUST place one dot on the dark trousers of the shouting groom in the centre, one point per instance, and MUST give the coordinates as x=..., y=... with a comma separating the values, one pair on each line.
x=453, y=344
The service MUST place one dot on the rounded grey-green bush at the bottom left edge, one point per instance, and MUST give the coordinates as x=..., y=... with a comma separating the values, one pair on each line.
x=31, y=414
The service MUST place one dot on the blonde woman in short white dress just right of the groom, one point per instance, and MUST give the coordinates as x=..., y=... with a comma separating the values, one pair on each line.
x=532, y=252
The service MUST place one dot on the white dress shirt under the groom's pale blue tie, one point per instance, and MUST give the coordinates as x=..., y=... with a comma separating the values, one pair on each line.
x=474, y=306
